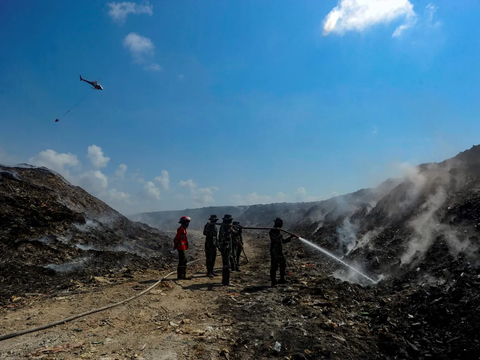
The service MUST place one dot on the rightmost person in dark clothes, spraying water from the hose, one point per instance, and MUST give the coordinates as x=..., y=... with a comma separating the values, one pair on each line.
x=276, y=252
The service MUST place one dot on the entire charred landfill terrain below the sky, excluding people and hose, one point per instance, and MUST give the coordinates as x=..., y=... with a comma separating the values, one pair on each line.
x=417, y=237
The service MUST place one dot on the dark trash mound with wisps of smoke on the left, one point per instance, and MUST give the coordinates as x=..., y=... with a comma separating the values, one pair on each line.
x=53, y=233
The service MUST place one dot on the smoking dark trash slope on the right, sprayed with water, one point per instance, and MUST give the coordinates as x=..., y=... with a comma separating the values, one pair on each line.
x=418, y=236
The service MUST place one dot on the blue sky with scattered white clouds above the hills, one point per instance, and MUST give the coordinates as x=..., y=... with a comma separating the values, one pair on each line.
x=239, y=102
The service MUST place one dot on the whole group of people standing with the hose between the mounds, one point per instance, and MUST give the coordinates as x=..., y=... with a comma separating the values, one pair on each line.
x=229, y=241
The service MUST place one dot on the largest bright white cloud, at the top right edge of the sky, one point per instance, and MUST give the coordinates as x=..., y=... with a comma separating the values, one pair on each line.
x=357, y=15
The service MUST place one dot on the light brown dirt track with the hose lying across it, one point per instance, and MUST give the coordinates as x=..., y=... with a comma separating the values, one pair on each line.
x=186, y=319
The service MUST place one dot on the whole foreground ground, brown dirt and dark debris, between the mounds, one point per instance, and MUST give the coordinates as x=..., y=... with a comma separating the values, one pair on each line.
x=314, y=316
